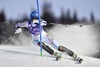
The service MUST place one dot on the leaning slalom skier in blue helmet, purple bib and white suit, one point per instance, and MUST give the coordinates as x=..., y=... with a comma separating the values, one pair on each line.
x=33, y=27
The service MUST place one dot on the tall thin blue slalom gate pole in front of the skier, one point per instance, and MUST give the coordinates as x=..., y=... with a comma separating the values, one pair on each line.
x=40, y=28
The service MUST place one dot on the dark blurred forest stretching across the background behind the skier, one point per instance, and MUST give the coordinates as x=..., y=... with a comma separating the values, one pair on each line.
x=7, y=27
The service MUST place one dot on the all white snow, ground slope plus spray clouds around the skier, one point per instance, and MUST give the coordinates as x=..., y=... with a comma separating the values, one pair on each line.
x=81, y=39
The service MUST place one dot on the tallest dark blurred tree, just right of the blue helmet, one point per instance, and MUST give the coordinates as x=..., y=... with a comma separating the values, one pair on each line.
x=48, y=14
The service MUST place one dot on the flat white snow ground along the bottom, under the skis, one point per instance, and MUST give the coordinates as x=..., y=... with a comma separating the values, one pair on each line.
x=18, y=56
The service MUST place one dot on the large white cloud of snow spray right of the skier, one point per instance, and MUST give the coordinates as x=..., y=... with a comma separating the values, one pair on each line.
x=82, y=40
